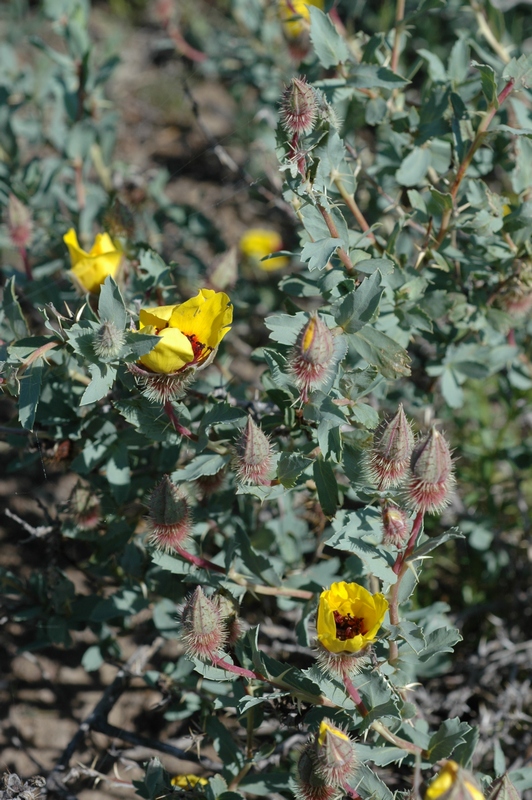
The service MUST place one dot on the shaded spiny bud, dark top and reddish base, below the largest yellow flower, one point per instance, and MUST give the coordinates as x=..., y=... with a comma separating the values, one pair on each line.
x=169, y=516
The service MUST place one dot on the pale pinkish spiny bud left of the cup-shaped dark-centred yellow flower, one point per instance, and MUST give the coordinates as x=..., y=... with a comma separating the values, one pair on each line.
x=204, y=633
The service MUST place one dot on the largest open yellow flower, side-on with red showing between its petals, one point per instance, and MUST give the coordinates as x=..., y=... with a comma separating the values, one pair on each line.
x=188, y=333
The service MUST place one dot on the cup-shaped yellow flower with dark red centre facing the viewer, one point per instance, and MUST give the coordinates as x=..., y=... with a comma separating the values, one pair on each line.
x=349, y=617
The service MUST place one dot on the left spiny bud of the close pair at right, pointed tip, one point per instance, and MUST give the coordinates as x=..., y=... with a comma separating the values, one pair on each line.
x=390, y=453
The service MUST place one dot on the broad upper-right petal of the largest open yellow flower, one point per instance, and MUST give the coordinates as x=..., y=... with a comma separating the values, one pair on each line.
x=207, y=317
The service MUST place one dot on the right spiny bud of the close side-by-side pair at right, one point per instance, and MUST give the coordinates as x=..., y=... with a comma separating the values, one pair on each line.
x=432, y=476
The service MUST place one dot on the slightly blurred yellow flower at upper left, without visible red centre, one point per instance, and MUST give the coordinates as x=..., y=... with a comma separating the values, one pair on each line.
x=92, y=268
